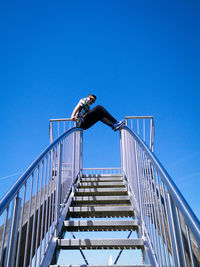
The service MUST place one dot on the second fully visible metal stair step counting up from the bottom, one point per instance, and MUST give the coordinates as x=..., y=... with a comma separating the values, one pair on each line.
x=91, y=225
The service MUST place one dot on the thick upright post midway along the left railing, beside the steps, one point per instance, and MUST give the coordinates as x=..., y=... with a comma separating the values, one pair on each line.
x=58, y=186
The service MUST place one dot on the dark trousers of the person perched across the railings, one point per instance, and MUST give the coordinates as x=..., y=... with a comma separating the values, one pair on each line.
x=96, y=114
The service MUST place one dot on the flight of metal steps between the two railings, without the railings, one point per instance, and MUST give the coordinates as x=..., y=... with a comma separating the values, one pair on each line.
x=100, y=197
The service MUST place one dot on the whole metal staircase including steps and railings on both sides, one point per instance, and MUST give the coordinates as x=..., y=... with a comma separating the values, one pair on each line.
x=56, y=197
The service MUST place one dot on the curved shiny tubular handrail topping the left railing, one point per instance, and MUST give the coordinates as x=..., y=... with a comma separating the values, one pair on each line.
x=16, y=187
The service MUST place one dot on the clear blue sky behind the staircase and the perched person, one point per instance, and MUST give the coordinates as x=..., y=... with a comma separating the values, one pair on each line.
x=138, y=57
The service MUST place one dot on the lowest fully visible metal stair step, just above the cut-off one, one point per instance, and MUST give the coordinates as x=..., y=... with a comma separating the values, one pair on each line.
x=122, y=243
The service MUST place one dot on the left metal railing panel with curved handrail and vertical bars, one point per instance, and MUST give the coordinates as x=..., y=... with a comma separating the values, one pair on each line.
x=33, y=208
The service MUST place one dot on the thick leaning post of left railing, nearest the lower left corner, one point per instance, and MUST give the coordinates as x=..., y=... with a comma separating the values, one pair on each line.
x=13, y=234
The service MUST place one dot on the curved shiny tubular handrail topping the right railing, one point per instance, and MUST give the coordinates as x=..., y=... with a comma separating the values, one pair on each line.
x=189, y=215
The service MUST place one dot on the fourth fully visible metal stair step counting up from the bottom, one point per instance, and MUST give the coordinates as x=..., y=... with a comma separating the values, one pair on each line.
x=101, y=200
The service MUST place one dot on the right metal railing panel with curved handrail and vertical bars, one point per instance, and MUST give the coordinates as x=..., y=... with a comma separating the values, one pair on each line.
x=168, y=225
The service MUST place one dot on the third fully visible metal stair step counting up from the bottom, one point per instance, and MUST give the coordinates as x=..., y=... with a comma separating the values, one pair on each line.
x=105, y=211
